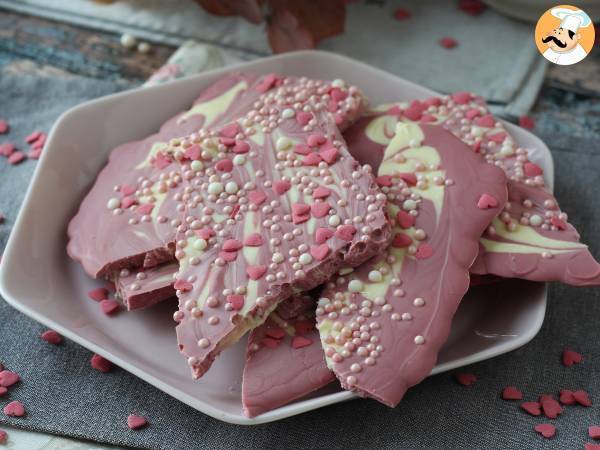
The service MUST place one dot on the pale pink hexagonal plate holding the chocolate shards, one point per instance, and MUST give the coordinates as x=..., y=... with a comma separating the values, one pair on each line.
x=38, y=278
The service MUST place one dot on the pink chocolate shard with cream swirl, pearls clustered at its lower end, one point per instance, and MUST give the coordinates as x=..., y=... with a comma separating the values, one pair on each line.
x=382, y=325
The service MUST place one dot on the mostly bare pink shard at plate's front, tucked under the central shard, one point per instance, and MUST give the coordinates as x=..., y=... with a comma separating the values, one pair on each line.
x=284, y=359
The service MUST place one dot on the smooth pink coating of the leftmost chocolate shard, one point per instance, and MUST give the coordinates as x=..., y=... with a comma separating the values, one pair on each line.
x=104, y=242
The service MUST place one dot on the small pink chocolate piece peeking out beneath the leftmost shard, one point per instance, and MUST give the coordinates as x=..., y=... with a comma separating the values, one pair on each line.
x=142, y=288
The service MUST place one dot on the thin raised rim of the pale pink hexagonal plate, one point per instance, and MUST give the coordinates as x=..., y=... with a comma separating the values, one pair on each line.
x=195, y=402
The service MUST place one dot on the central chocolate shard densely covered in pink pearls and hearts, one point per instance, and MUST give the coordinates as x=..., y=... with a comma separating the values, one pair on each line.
x=233, y=288
